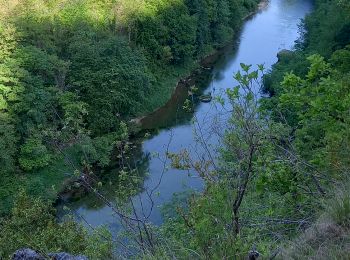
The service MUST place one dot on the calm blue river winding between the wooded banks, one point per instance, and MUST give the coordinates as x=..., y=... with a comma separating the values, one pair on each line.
x=274, y=28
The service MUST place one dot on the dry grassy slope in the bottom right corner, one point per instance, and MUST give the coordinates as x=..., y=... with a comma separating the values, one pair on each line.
x=329, y=237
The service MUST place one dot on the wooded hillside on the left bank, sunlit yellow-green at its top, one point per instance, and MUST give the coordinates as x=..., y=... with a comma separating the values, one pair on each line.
x=72, y=71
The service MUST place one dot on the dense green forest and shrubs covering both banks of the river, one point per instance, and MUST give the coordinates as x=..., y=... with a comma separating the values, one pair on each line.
x=70, y=78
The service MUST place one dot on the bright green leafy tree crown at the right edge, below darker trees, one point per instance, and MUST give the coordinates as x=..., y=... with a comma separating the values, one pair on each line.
x=320, y=104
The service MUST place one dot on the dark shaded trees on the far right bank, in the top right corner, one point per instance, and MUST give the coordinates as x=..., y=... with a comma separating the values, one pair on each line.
x=324, y=31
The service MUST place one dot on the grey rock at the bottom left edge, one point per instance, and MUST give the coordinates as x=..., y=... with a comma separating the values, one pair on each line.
x=29, y=254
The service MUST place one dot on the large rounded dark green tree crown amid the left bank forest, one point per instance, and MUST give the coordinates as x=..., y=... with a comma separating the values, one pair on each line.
x=110, y=77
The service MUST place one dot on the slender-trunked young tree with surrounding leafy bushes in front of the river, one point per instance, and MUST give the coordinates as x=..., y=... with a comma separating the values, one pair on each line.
x=251, y=174
